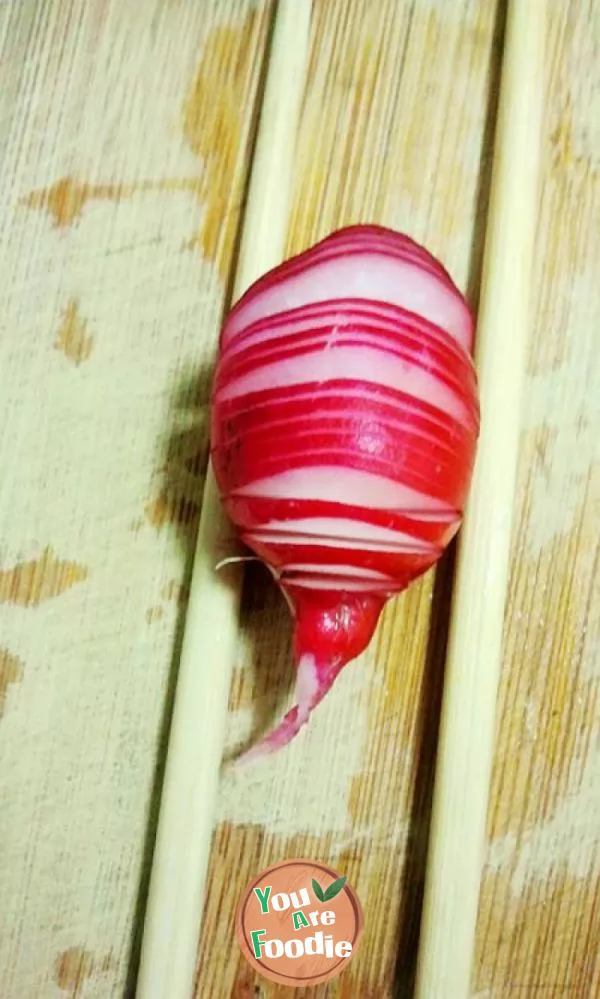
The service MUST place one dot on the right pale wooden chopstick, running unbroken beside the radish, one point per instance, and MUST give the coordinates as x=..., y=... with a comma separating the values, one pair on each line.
x=474, y=654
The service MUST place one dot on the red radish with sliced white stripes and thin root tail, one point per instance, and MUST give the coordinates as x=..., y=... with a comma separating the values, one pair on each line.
x=345, y=419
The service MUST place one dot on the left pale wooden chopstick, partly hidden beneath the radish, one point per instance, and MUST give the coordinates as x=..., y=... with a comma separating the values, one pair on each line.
x=186, y=819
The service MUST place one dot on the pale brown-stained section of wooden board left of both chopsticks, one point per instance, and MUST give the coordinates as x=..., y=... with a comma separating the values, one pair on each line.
x=125, y=130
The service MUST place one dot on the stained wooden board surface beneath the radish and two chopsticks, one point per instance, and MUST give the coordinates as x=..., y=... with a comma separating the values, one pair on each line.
x=124, y=148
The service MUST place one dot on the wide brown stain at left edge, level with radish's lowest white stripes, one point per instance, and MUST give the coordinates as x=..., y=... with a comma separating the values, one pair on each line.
x=30, y=583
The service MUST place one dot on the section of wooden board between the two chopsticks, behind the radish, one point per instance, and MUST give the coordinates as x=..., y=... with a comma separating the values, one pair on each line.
x=393, y=128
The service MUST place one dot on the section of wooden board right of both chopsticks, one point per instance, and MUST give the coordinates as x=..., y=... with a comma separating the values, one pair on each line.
x=539, y=920
